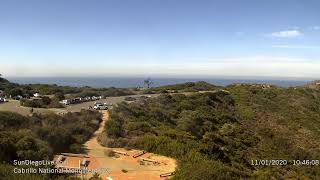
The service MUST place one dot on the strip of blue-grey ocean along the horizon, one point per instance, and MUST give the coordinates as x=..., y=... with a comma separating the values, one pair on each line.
x=123, y=82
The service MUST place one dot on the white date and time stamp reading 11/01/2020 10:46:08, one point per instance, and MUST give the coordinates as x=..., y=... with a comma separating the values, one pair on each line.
x=282, y=162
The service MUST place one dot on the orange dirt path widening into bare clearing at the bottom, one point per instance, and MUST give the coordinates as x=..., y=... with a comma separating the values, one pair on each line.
x=128, y=163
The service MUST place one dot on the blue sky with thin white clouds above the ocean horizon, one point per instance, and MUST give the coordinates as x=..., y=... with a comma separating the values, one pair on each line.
x=271, y=38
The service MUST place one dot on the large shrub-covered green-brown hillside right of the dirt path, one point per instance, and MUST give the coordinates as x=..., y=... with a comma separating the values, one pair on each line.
x=216, y=135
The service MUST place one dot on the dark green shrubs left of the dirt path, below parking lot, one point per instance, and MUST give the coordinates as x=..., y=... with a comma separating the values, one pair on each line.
x=41, y=136
